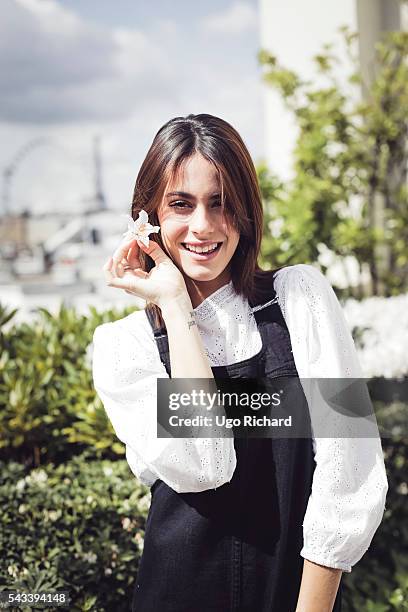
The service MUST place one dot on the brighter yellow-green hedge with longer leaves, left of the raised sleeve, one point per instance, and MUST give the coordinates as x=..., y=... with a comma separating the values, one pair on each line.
x=48, y=408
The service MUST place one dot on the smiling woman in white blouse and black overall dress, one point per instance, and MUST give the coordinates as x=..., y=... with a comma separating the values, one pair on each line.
x=234, y=524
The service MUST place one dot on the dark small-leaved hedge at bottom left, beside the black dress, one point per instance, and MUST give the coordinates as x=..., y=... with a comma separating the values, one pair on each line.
x=76, y=527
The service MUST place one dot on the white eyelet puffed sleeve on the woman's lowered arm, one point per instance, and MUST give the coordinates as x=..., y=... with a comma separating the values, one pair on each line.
x=349, y=486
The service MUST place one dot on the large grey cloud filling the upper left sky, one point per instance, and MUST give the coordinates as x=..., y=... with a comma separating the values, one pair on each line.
x=59, y=68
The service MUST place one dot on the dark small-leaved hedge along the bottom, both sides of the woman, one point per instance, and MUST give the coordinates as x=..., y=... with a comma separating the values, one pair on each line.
x=80, y=526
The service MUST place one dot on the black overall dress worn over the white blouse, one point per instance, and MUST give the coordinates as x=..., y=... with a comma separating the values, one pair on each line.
x=235, y=548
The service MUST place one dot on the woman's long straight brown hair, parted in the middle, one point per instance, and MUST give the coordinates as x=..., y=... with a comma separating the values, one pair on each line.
x=218, y=142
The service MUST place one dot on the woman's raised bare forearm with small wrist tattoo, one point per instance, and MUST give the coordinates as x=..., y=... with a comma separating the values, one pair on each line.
x=187, y=355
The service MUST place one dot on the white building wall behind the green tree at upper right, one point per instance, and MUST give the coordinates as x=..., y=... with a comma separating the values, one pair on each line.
x=295, y=31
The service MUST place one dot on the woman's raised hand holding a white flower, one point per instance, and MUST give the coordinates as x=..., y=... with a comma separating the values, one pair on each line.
x=161, y=285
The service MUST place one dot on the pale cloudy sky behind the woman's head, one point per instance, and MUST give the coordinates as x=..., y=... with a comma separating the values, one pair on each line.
x=75, y=69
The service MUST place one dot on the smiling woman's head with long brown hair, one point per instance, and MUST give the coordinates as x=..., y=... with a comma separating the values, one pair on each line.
x=207, y=193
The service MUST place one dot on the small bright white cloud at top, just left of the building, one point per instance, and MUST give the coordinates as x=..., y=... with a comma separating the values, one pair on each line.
x=236, y=19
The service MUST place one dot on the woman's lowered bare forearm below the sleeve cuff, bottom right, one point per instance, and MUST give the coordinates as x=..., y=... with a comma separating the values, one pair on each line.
x=318, y=588
